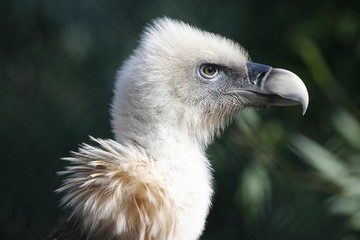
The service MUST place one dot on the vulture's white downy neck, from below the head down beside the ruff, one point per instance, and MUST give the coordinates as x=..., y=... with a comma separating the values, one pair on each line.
x=176, y=149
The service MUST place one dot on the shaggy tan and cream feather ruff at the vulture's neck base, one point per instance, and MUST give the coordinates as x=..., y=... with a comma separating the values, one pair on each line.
x=113, y=196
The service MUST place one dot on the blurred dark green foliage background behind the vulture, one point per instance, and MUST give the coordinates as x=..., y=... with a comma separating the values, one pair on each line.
x=278, y=175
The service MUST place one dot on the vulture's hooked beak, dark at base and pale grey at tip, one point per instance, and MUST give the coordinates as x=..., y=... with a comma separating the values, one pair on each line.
x=276, y=86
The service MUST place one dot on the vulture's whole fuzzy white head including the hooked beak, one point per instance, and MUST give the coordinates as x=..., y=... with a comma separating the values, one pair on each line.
x=180, y=74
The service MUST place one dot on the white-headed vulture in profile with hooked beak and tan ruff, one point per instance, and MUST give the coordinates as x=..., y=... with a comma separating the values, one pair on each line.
x=174, y=94
